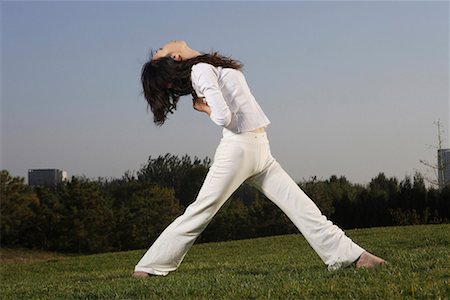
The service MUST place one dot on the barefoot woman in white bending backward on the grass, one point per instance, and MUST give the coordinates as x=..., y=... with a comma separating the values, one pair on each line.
x=220, y=91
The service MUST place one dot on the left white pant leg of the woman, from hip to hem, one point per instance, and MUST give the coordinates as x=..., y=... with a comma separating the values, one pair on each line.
x=233, y=163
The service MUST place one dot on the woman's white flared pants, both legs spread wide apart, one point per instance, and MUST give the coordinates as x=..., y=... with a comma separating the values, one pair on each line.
x=241, y=157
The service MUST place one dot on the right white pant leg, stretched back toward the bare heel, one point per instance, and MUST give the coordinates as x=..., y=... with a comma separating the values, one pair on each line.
x=329, y=241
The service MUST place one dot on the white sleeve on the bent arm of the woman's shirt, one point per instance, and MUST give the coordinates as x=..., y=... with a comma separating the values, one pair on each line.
x=205, y=78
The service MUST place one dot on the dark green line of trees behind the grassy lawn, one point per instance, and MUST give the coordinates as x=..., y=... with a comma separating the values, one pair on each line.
x=89, y=216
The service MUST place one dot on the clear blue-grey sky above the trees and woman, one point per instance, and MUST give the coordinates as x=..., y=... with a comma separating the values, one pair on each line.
x=352, y=88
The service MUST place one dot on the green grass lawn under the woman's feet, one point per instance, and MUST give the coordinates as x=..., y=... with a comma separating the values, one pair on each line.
x=282, y=267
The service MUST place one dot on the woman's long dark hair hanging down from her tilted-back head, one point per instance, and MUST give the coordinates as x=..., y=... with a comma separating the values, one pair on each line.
x=165, y=80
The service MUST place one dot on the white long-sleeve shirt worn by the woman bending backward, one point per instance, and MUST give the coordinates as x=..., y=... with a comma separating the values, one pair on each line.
x=228, y=95
